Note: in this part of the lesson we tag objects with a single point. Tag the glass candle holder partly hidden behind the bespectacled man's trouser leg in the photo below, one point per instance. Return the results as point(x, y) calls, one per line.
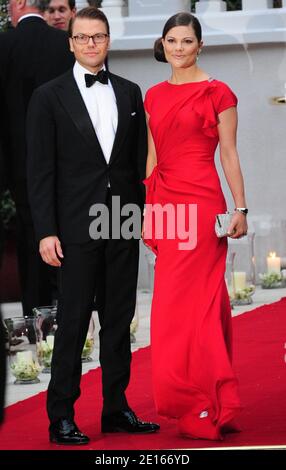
point(46, 326)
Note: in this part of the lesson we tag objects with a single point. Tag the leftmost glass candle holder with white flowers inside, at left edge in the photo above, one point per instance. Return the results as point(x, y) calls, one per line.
point(22, 350)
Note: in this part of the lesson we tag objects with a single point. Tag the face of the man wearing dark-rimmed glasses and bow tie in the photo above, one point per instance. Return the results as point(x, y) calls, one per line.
point(90, 55)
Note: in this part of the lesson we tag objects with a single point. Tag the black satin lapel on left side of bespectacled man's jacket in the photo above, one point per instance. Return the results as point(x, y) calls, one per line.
point(72, 101)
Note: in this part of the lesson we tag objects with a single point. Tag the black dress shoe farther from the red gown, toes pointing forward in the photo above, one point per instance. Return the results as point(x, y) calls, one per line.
point(66, 432)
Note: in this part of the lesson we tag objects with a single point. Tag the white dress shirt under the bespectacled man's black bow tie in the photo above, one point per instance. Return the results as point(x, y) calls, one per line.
point(100, 102)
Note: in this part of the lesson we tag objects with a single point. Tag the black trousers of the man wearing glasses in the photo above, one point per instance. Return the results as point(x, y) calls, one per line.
point(109, 269)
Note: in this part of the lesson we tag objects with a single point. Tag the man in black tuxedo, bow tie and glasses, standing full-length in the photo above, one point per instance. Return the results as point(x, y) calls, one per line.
point(86, 144)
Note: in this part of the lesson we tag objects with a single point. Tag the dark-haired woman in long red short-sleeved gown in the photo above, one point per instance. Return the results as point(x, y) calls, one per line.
point(188, 115)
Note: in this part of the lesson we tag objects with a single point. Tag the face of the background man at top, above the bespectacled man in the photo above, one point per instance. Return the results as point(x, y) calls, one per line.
point(58, 14)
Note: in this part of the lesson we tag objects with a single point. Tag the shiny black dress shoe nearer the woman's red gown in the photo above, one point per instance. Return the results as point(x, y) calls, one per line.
point(126, 421)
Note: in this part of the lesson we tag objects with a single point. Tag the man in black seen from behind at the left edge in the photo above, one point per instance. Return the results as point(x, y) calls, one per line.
point(31, 54)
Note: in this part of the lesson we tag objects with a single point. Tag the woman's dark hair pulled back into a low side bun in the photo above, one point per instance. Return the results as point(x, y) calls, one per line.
point(180, 19)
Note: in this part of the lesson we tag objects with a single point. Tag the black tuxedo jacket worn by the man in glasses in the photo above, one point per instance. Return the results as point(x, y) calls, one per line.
point(67, 171)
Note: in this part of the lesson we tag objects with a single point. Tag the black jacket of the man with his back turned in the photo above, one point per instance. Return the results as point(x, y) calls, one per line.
point(31, 54)
